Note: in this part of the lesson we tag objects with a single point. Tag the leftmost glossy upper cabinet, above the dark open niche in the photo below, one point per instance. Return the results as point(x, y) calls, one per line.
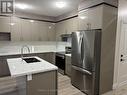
point(5, 24)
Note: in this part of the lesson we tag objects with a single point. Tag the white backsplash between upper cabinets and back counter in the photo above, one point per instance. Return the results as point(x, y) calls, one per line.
point(35, 47)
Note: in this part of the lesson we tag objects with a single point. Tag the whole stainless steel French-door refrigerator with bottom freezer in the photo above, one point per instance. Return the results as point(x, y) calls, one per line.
point(86, 52)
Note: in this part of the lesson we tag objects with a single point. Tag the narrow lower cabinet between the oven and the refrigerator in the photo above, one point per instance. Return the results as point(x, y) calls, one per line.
point(68, 65)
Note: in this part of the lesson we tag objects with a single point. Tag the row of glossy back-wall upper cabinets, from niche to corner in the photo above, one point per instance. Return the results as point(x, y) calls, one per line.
point(31, 30)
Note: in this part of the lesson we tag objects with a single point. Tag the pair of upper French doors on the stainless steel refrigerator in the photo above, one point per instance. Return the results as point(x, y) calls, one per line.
point(83, 49)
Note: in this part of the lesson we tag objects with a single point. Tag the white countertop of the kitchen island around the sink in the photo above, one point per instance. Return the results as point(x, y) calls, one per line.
point(18, 67)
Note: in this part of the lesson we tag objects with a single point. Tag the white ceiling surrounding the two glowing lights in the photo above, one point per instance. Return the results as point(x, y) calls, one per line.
point(47, 7)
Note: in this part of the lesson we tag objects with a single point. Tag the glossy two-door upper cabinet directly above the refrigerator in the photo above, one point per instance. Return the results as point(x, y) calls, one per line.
point(90, 18)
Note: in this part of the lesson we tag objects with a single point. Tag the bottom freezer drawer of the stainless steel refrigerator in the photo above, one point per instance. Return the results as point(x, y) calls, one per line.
point(82, 80)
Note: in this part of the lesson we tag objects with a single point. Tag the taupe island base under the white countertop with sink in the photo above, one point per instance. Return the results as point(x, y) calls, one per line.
point(44, 83)
